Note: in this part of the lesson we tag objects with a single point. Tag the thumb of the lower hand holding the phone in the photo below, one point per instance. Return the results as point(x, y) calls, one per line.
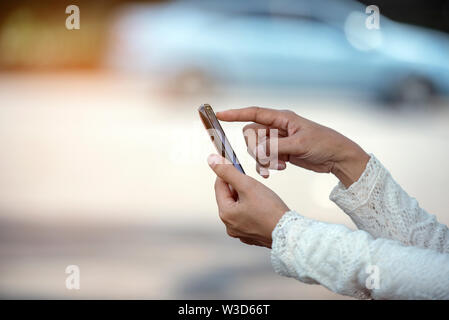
point(226, 171)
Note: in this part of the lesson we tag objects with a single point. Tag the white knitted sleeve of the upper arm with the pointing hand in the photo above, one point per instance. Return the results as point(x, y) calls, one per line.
point(378, 205)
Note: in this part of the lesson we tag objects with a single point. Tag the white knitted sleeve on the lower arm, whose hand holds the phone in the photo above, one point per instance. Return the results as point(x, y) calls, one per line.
point(353, 263)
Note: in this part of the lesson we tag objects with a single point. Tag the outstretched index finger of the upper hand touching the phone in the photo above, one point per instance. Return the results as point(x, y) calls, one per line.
point(268, 117)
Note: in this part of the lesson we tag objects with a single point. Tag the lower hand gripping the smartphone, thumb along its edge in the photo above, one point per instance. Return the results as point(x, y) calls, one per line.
point(252, 211)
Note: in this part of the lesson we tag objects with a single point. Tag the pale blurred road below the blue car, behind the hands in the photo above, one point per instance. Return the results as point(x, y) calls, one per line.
point(99, 171)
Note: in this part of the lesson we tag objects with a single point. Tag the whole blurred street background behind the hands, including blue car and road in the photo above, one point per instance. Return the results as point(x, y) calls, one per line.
point(103, 155)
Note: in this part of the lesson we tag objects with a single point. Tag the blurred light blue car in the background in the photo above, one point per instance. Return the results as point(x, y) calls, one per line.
point(196, 45)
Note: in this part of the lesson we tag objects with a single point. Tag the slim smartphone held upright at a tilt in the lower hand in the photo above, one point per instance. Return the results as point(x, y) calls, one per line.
point(218, 136)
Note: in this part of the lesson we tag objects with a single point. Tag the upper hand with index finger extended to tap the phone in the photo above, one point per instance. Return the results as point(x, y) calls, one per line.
point(299, 141)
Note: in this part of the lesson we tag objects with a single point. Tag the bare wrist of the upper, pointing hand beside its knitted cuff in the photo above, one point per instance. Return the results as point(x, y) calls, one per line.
point(351, 165)
